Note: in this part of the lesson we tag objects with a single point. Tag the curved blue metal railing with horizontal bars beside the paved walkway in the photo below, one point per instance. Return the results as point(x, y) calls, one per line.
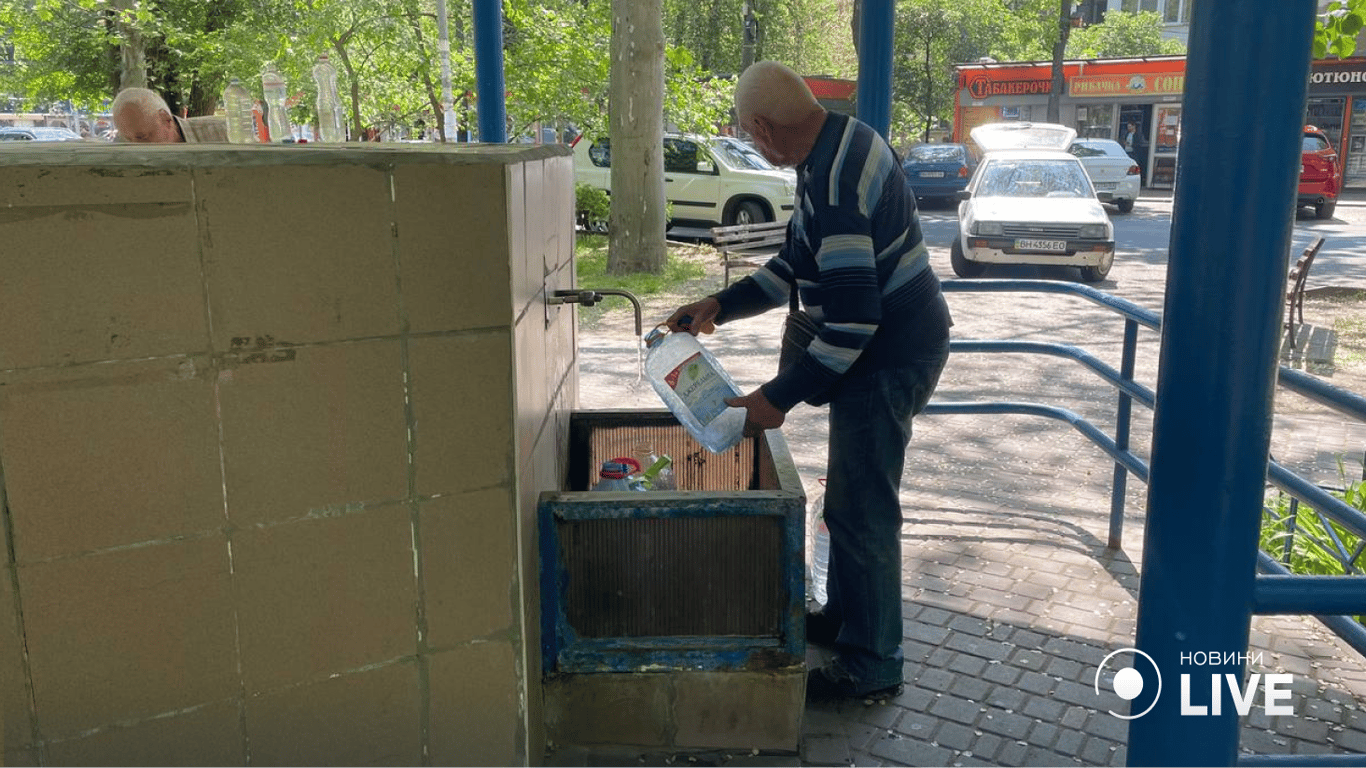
point(1278, 591)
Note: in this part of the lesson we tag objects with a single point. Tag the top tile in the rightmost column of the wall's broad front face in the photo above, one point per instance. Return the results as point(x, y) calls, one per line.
point(453, 247)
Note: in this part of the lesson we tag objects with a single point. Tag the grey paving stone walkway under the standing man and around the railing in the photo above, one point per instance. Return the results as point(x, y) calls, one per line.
point(1012, 596)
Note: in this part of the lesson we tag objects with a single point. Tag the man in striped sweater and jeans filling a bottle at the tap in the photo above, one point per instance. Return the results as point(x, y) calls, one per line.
point(857, 259)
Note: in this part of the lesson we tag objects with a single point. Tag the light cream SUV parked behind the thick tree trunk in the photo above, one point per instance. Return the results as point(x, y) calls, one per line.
point(710, 181)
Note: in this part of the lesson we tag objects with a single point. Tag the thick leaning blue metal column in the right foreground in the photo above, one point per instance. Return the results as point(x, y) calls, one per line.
point(1246, 84)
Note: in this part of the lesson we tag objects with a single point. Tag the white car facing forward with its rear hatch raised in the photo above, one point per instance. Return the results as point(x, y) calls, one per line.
point(1031, 202)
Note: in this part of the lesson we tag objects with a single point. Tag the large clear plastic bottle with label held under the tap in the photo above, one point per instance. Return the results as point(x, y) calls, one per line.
point(695, 386)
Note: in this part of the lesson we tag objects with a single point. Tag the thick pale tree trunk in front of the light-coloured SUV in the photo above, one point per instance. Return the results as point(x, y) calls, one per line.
point(637, 133)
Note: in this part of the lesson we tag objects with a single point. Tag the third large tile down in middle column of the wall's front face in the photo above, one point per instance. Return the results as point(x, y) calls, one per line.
point(326, 596)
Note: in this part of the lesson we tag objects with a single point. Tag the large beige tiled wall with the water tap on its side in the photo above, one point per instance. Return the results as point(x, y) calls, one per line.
point(273, 428)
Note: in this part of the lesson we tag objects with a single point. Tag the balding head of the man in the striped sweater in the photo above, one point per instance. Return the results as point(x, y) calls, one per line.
point(777, 107)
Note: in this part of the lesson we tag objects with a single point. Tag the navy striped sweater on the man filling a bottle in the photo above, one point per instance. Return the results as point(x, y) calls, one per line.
point(856, 249)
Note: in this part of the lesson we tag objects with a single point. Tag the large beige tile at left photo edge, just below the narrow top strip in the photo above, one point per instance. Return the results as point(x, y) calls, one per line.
point(83, 285)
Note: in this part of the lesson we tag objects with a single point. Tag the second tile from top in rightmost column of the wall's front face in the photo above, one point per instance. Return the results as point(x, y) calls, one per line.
point(462, 402)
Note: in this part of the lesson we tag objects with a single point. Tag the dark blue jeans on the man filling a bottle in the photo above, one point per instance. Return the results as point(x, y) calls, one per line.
point(871, 427)
